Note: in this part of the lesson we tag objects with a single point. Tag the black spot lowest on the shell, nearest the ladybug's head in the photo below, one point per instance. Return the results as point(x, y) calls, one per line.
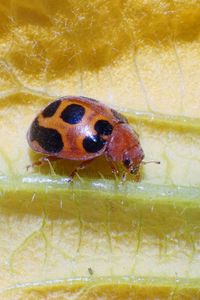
point(93, 144)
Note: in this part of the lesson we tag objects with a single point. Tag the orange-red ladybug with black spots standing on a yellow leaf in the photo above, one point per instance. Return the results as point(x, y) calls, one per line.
point(81, 129)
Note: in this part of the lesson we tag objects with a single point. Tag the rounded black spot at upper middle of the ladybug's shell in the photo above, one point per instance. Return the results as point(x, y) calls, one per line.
point(73, 114)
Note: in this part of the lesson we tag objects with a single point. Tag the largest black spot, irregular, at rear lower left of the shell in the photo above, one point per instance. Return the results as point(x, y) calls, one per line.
point(49, 139)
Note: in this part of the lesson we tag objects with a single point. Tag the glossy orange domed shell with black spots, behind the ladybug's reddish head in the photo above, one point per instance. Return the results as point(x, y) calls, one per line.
point(75, 128)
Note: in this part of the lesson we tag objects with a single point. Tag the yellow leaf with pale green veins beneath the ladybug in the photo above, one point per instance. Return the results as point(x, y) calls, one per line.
point(97, 238)
